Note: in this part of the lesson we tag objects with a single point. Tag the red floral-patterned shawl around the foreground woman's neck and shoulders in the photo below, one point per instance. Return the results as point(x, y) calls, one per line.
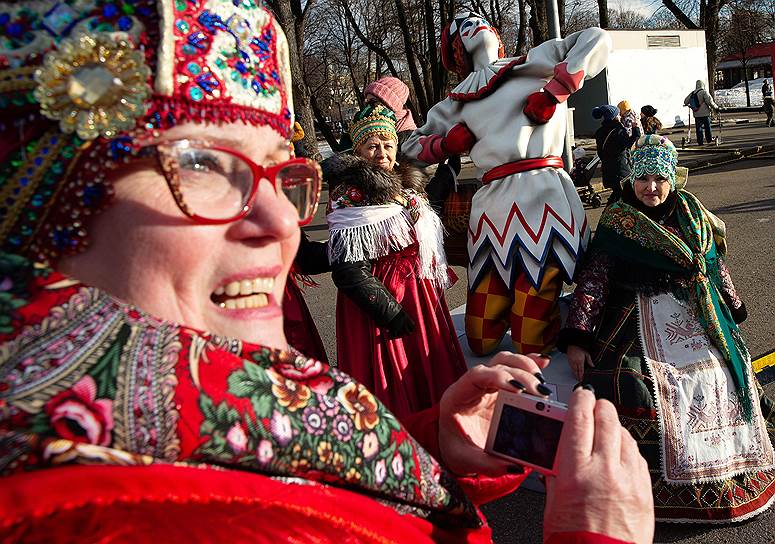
point(87, 379)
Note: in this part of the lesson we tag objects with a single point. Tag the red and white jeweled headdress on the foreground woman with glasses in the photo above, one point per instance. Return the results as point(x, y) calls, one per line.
point(81, 79)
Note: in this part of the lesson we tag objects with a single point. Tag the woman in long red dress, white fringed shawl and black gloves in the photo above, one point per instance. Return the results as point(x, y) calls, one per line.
point(394, 331)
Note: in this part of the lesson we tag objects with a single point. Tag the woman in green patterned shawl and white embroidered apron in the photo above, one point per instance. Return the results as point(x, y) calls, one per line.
point(653, 328)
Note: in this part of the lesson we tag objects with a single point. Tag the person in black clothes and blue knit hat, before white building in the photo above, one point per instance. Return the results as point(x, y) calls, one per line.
point(613, 148)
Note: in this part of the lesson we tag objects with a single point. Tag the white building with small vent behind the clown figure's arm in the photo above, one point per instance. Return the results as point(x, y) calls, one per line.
point(657, 67)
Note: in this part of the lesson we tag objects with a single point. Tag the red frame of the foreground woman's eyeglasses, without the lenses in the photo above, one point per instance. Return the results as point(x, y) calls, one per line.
point(259, 173)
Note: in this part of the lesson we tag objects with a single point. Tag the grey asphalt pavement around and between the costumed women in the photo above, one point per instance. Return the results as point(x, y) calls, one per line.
point(742, 193)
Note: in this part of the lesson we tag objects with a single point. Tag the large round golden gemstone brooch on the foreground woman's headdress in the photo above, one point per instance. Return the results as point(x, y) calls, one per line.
point(95, 85)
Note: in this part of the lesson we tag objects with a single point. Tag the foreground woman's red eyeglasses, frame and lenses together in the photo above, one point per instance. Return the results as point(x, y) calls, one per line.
point(215, 185)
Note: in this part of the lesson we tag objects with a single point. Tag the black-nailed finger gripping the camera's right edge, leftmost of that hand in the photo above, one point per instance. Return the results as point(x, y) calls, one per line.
point(578, 432)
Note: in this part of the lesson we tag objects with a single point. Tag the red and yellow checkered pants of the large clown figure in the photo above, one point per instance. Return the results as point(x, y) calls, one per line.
point(533, 314)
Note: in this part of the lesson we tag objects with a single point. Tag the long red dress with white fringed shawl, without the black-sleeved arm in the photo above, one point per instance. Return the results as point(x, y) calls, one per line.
point(403, 239)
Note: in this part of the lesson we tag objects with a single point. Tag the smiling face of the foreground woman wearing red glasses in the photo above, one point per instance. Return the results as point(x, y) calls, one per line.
point(226, 279)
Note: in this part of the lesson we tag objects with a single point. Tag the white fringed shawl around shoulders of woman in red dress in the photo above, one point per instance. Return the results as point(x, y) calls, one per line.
point(371, 232)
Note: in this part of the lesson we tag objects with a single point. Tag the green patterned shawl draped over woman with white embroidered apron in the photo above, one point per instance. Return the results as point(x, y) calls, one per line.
point(627, 233)
